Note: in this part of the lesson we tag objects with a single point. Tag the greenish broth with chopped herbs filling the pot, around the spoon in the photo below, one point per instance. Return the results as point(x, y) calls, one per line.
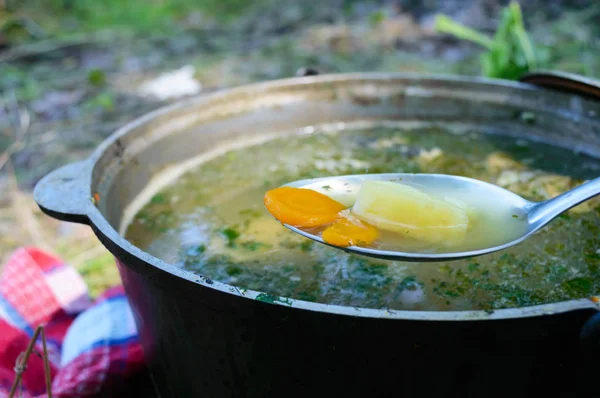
point(212, 221)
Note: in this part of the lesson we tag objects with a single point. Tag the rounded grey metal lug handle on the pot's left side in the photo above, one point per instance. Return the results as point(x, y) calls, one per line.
point(65, 193)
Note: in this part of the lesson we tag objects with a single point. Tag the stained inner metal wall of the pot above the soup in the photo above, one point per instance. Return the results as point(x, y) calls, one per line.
point(180, 133)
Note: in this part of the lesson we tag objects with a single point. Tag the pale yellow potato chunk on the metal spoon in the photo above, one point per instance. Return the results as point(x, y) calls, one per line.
point(413, 213)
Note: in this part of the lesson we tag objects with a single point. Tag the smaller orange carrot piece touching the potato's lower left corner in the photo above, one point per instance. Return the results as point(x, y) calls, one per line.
point(345, 232)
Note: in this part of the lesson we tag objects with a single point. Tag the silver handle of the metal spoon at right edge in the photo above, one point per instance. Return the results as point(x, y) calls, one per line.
point(543, 212)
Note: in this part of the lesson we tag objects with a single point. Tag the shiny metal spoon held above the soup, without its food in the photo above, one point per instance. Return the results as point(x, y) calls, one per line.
point(537, 214)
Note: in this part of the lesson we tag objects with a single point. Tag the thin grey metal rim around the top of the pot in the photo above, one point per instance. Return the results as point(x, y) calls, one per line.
point(121, 247)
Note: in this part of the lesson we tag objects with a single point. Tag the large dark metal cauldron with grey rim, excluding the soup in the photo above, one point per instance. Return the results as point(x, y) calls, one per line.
point(207, 339)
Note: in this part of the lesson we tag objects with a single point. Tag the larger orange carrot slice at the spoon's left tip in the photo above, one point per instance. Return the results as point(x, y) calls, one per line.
point(301, 207)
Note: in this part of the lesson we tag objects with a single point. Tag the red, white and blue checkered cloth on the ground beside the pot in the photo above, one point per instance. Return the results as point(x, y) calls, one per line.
point(91, 345)
